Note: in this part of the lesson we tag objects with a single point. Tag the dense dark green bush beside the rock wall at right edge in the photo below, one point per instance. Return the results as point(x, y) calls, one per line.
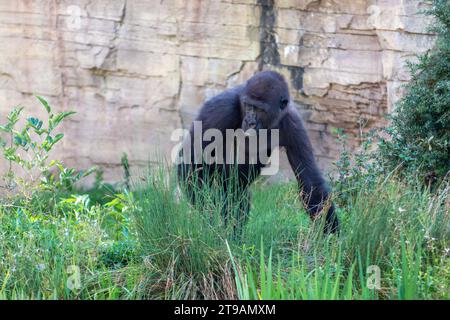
point(419, 135)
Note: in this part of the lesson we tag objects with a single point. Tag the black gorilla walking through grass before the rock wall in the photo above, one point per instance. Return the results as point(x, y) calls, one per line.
point(261, 103)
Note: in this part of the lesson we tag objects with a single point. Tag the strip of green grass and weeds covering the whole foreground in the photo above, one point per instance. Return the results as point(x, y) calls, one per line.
point(153, 244)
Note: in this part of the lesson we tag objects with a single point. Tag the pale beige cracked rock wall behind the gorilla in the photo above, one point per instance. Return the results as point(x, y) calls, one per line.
point(135, 70)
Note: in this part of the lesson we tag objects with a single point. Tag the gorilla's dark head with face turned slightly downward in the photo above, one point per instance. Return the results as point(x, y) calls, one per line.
point(265, 95)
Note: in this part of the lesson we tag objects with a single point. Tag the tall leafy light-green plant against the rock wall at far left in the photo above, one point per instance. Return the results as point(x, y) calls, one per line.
point(29, 148)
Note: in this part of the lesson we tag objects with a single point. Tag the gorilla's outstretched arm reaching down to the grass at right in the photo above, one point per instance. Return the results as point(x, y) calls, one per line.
point(314, 190)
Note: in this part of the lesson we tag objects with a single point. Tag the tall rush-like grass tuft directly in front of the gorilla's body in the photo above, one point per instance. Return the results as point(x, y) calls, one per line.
point(184, 245)
